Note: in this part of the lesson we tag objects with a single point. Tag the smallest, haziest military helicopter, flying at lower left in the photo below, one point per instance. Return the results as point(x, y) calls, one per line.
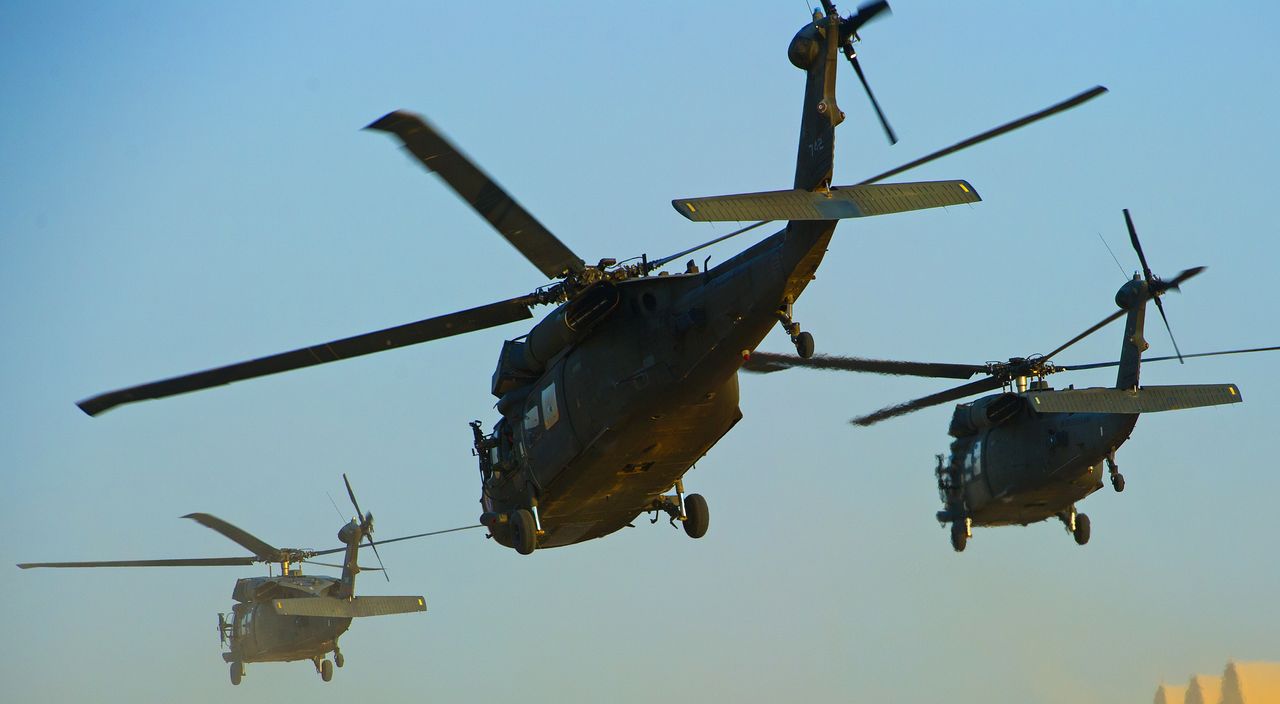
point(292, 616)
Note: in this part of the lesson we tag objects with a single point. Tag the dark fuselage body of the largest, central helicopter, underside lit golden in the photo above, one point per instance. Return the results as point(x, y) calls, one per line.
point(623, 414)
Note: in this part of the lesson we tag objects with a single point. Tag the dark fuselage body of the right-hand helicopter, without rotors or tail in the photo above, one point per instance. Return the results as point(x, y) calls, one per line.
point(1031, 468)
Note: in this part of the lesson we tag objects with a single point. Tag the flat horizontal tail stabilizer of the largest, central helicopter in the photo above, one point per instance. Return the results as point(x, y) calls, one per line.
point(842, 202)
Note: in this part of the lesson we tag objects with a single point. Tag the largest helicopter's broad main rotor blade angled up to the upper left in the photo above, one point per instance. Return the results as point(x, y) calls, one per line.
point(525, 234)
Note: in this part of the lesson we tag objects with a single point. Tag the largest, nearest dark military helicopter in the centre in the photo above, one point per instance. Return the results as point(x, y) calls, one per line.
point(615, 395)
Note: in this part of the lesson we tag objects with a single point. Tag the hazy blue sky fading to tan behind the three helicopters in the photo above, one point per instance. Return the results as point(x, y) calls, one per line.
point(188, 186)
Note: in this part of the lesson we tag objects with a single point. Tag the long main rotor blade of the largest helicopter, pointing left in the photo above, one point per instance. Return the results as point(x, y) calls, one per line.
point(368, 344)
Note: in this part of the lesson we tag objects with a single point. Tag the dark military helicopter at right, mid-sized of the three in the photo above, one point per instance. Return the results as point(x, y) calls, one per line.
point(1031, 452)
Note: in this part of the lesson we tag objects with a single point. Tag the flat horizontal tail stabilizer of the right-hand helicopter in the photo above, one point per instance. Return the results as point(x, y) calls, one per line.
point(1146, 400)
